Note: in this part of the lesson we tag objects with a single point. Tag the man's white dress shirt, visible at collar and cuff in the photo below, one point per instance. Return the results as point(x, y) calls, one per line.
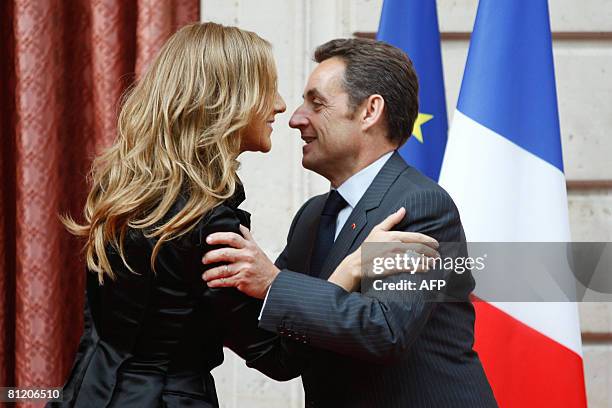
point(352, 190)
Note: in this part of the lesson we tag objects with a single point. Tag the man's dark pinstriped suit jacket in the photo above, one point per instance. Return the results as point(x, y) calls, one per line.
point(368, 352)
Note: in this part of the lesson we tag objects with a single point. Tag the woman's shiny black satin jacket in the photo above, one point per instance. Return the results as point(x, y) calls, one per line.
point(150, 339)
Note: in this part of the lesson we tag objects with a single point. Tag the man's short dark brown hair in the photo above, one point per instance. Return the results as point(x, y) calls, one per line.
point(375, 67)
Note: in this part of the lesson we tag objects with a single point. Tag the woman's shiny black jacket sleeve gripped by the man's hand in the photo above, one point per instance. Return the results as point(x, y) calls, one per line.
point(238, 314)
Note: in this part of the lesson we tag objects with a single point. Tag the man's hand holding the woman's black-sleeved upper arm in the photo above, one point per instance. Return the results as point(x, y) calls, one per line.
point(247, 267)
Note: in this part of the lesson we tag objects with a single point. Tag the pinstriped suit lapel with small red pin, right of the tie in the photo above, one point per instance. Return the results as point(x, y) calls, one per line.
point(358, 219)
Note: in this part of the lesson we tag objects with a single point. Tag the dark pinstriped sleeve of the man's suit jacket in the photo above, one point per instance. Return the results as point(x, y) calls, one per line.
point(376, 328)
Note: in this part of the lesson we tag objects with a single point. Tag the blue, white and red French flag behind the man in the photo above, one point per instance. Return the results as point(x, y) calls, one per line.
point(503, 166)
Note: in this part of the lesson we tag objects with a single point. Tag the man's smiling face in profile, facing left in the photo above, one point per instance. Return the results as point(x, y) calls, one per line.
point(326, 122)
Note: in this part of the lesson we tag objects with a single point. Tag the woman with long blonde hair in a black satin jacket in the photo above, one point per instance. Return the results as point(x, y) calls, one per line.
point(153, 329)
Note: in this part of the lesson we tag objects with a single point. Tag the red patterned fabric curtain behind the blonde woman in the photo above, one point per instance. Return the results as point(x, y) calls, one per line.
point(63, 66)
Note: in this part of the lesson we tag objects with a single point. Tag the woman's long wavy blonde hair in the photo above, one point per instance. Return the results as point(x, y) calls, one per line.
point(179, 131)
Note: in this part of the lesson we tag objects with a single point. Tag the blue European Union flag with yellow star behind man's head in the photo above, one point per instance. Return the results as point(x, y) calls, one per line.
point(412, 25)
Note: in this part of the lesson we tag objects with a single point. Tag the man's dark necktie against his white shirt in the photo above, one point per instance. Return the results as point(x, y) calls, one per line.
point(327, 230)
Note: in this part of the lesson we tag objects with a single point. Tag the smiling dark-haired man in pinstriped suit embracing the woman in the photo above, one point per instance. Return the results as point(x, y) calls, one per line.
point(360, 104)
